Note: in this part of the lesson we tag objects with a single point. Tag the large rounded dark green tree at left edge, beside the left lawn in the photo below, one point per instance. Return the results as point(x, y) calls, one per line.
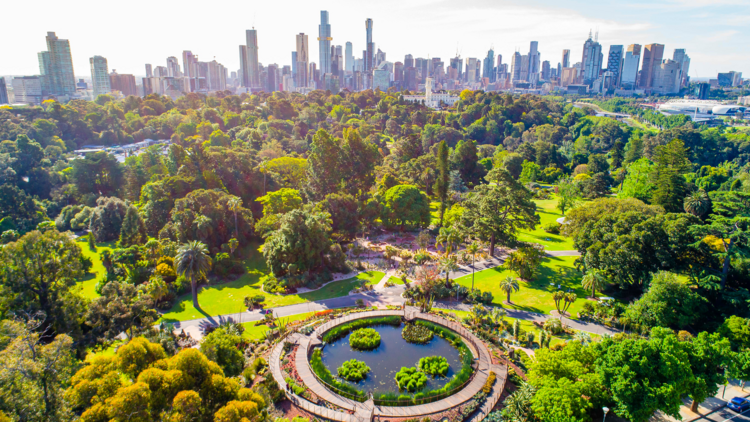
point(39, 272)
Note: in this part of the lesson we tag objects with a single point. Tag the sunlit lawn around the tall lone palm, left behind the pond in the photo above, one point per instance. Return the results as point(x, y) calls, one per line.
point(228, 298)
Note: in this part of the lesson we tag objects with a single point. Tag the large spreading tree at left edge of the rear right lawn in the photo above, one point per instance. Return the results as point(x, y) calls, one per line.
point(497, 211)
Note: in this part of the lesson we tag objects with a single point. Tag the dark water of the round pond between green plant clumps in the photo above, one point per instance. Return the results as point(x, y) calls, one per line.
point(393, 353)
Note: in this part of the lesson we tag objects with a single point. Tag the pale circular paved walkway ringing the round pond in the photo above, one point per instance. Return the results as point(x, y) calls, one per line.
point(368, 410)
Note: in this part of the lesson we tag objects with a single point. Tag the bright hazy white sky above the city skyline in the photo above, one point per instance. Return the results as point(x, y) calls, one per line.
point(129, 34)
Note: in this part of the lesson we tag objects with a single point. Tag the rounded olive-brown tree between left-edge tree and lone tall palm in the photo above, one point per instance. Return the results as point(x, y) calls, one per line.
point(120, 308)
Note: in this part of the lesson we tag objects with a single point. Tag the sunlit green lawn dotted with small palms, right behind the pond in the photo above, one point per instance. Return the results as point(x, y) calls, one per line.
point(537, 295)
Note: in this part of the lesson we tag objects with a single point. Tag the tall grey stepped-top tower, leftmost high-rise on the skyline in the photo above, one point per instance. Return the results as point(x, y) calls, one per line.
point(56, 67)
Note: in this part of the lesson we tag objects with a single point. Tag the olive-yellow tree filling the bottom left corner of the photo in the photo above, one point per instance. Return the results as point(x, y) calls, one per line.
point(36, 367)
